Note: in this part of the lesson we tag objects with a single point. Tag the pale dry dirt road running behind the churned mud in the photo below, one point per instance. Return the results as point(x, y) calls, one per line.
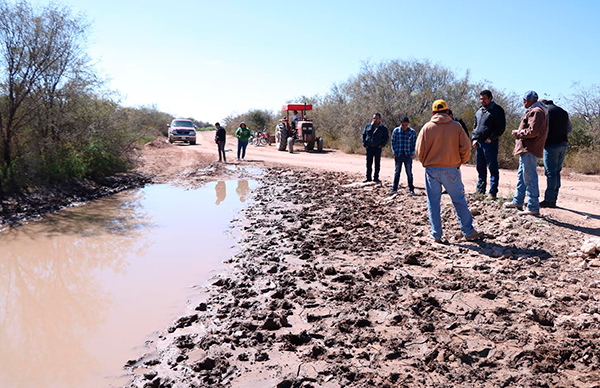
point(579, 198)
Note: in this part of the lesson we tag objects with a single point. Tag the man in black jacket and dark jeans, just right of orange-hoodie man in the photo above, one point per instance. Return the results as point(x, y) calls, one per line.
point(490, 123)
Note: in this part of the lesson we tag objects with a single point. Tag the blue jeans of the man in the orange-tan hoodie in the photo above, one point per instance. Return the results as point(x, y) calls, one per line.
point(450, 178)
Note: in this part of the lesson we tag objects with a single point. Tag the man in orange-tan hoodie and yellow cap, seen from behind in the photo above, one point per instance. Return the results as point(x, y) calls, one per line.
point(442, 147)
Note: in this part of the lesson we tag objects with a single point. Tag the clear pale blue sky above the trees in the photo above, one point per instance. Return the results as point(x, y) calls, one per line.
point(208, 59)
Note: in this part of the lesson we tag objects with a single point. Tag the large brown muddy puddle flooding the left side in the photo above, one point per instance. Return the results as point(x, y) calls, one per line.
point(82, 290)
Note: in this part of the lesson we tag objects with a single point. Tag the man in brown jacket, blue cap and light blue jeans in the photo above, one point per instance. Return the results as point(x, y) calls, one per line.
point(529, 146)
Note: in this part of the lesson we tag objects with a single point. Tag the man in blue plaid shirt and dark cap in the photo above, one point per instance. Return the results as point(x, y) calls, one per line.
point(403, 147)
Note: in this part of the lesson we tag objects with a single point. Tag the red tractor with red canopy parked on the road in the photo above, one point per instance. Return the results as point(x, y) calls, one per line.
point(299, 129)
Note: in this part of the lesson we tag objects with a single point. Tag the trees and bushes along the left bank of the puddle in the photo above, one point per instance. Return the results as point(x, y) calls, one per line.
point(57, 120)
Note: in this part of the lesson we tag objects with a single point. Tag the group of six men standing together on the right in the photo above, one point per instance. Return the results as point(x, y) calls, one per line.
point(443, 145)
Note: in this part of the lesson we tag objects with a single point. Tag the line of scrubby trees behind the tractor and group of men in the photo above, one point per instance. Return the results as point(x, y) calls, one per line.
point(398, 88)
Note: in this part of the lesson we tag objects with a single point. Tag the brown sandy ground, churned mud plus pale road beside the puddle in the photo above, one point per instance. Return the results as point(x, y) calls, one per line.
point(338, 284)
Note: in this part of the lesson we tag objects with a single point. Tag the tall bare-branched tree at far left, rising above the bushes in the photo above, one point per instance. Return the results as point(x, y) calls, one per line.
point(40, 50)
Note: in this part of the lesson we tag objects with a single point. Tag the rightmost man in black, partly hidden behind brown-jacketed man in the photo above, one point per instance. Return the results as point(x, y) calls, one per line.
point(555, 150)
